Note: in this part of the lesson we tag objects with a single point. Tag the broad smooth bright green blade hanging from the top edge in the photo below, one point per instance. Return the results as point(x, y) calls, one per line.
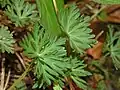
point(48, 16)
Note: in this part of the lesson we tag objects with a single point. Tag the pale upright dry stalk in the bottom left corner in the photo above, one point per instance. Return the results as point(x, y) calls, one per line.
point(2, 74)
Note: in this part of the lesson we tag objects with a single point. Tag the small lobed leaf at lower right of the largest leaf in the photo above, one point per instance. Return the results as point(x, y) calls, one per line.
point(77, 71)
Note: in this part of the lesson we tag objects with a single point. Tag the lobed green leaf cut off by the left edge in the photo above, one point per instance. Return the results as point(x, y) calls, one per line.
point(6, 40)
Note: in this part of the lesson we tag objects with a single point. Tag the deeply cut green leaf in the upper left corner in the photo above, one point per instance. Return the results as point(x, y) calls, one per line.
point(21, 13)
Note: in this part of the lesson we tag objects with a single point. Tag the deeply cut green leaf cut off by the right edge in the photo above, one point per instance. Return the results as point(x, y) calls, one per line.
point(112, 46)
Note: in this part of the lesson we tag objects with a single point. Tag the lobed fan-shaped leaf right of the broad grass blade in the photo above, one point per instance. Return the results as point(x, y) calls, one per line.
point(75, 28)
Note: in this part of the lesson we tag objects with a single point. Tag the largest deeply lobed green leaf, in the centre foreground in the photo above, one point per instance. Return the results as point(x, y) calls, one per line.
point(48, 55)
